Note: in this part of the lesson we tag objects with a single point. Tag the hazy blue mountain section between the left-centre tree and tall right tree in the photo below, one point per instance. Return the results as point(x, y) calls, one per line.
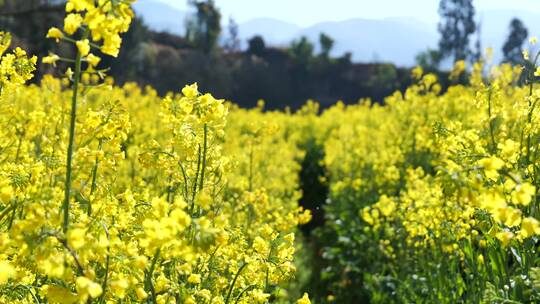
point(367, 39)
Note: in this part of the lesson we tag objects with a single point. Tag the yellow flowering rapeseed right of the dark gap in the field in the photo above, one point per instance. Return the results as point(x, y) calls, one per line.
point(434, 196)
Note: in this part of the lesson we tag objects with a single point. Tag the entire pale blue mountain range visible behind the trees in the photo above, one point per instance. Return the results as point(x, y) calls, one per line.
point(396, 40)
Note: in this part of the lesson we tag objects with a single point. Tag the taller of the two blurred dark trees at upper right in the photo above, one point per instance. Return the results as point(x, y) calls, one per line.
point(456, 26)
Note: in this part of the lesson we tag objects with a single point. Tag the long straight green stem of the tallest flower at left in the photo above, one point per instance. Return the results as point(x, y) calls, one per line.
point(67, 193)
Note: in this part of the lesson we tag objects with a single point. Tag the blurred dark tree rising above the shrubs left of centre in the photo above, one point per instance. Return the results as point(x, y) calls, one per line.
point(204, 27)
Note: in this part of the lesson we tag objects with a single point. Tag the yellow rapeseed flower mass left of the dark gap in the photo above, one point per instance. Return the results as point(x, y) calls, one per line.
point(170, 208)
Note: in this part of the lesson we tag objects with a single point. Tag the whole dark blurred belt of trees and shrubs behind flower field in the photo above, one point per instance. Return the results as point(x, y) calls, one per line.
point(211, 54)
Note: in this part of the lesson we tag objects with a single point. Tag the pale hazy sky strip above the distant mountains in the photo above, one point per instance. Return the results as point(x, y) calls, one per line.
point(308, 12)
